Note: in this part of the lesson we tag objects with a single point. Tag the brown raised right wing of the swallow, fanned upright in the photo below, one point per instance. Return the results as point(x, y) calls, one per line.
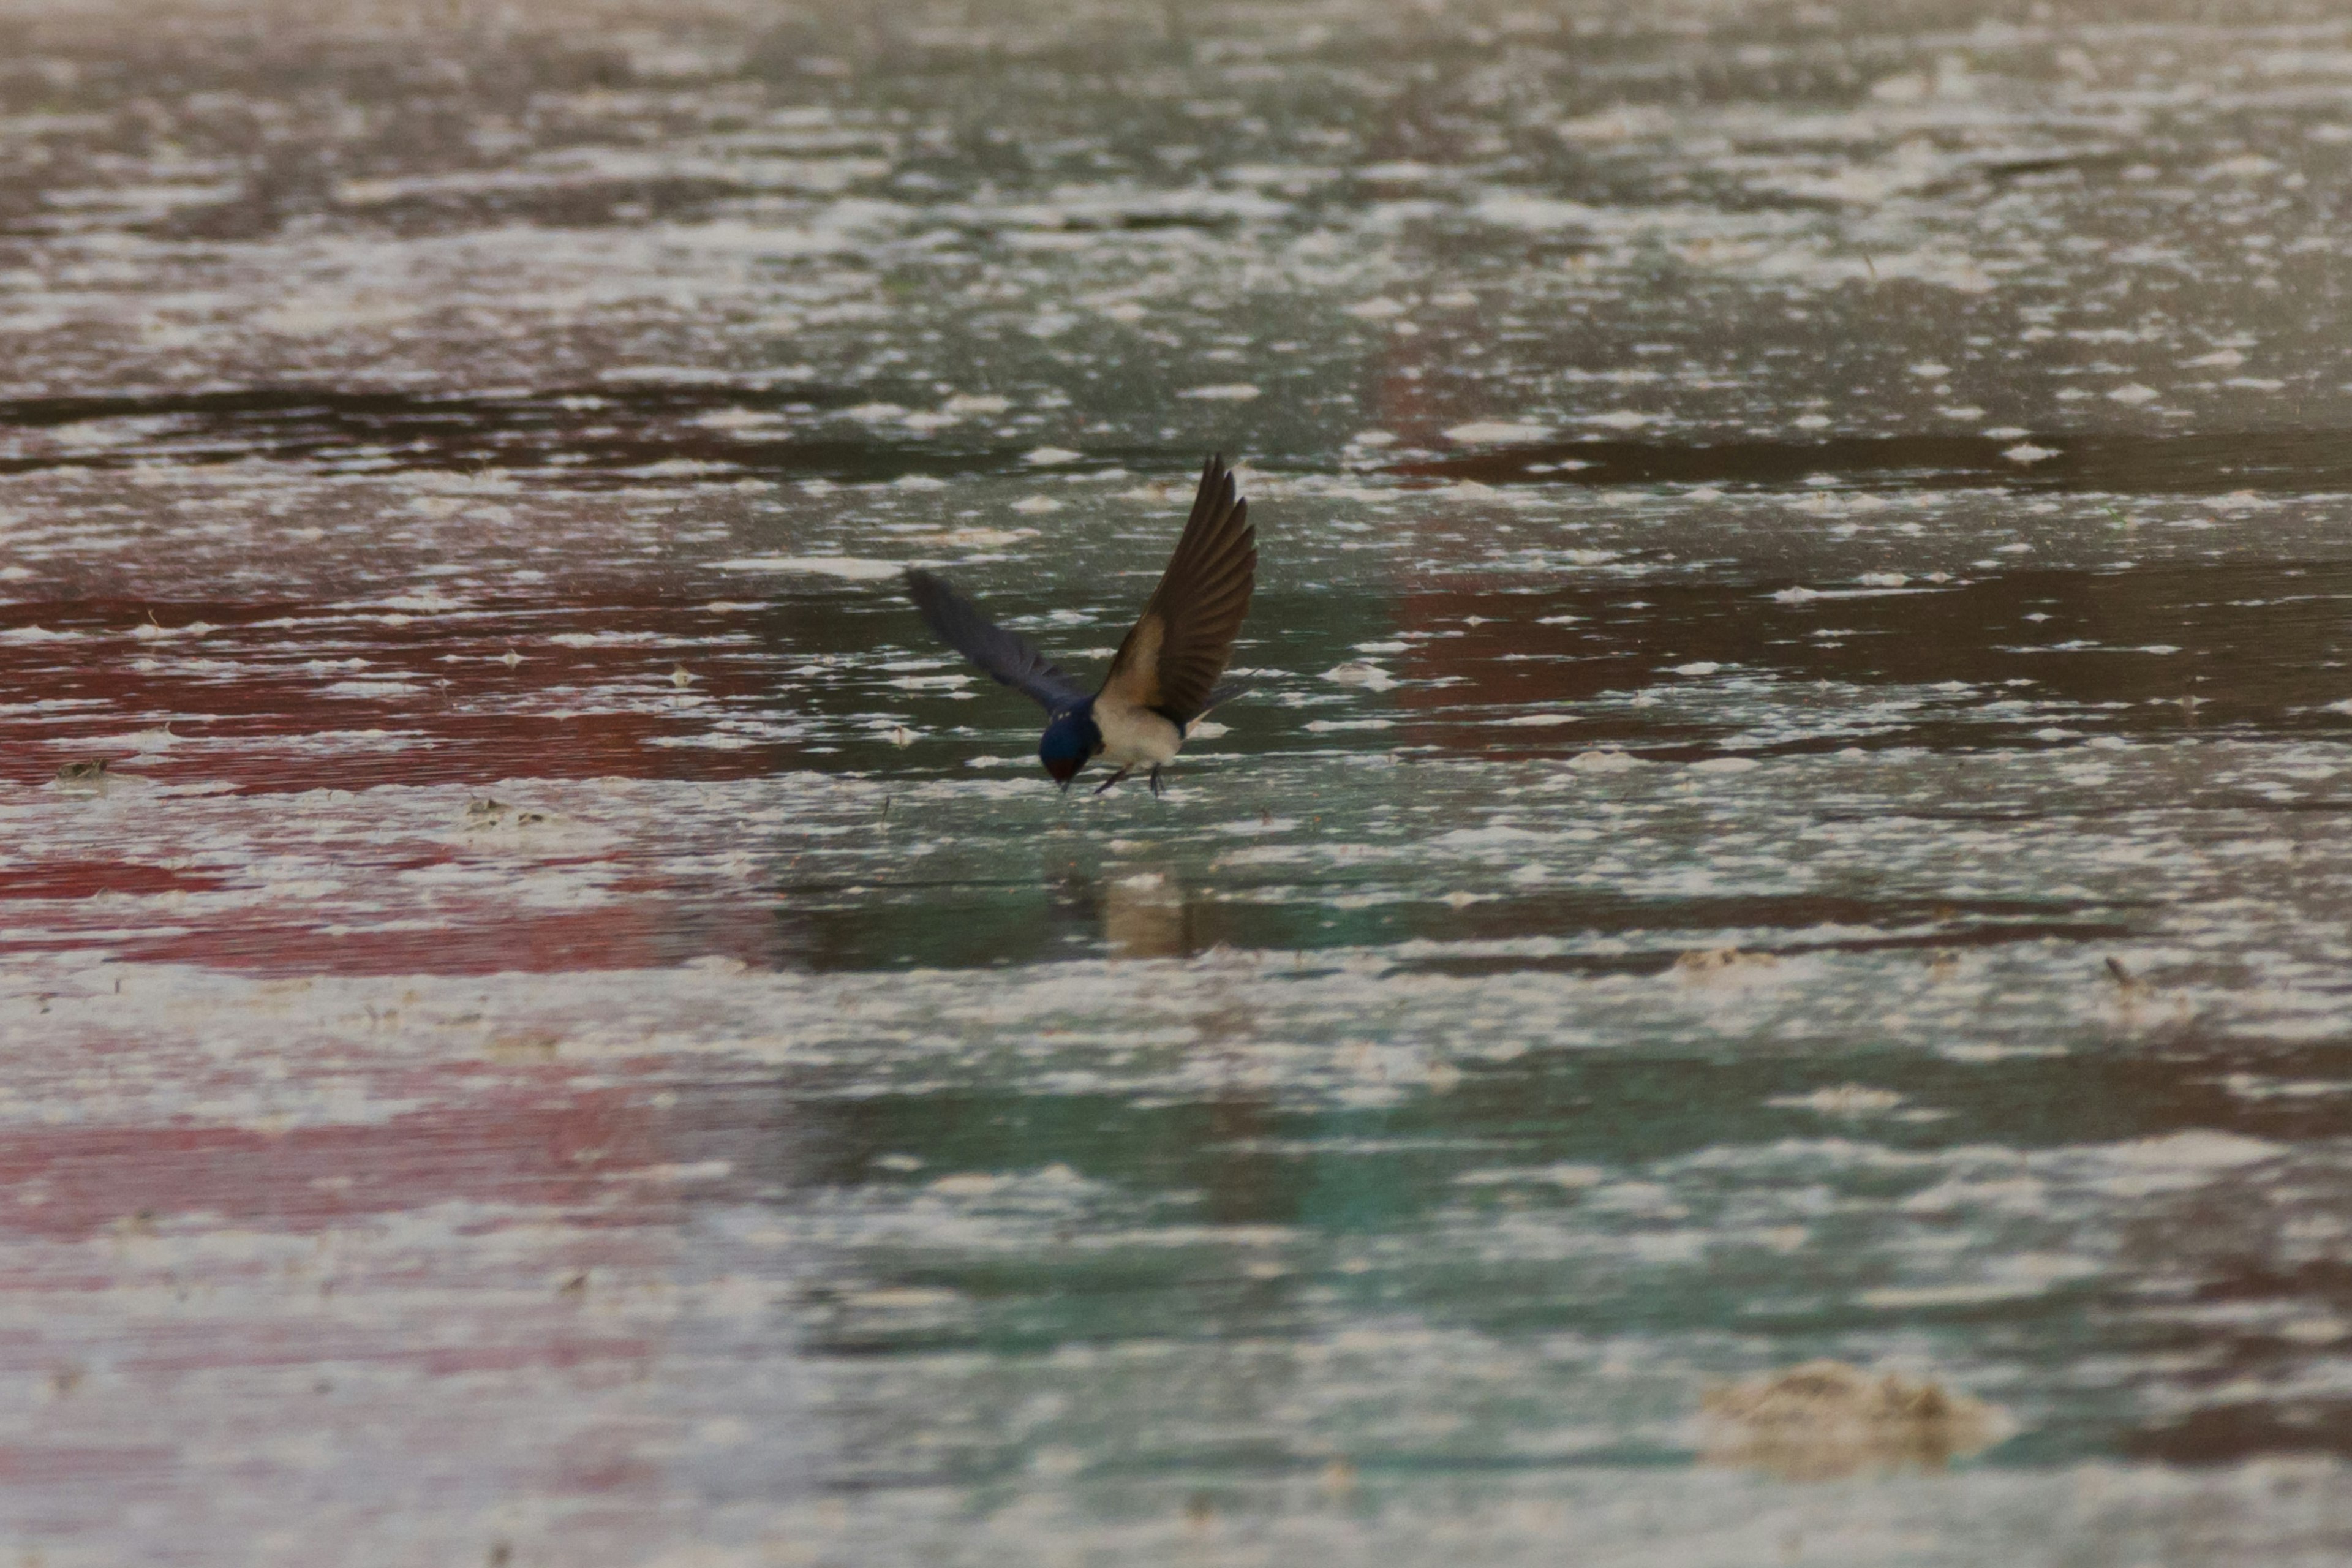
point(1184, 638)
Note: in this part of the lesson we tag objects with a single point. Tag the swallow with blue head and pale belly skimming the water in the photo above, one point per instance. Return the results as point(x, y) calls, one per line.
point(1165, 671)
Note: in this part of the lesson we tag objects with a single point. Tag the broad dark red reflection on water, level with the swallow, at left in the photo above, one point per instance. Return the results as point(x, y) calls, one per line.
point(288, 697)
